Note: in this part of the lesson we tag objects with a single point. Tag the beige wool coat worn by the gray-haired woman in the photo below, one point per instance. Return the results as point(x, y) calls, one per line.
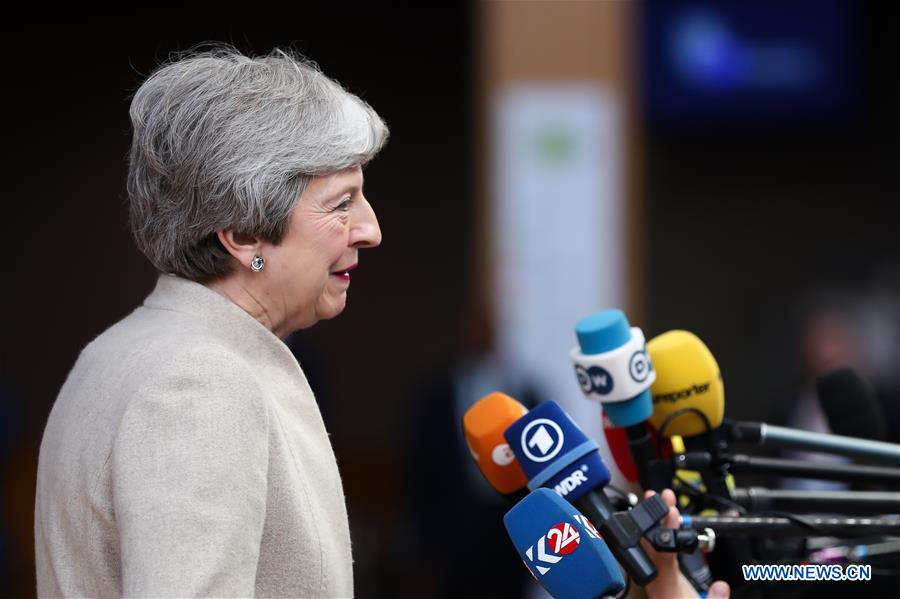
point(186, 456)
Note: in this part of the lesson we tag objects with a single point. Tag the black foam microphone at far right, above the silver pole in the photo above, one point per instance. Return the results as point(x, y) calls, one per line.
point(849, 406)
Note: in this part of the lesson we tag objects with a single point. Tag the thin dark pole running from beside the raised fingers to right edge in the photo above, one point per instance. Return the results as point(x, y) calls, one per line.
point(785, 527)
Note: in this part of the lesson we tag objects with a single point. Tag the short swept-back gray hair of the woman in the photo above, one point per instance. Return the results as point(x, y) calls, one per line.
point(222, 140)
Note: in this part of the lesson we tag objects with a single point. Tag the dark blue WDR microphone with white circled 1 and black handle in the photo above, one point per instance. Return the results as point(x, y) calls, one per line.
point(555, 454)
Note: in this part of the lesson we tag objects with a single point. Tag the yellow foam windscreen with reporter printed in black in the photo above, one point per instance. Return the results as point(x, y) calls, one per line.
point(687, 376)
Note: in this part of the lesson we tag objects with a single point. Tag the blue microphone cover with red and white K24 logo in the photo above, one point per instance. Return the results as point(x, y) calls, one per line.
point(561, 548)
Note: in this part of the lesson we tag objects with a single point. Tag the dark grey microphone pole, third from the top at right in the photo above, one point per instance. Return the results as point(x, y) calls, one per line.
point(758, 499)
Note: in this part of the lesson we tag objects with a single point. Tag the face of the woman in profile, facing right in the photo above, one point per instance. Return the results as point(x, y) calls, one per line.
point(309, 268)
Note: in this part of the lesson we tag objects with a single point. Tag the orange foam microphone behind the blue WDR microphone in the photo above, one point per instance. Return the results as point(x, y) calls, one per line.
point(483, 426)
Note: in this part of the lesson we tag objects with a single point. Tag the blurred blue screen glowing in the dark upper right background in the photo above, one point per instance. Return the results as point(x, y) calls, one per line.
point(759, 63)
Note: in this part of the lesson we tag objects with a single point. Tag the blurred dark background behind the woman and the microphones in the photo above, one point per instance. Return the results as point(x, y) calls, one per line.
point(725, 168)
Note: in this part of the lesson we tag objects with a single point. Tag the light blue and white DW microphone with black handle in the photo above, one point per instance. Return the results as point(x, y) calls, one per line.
point(612, 367)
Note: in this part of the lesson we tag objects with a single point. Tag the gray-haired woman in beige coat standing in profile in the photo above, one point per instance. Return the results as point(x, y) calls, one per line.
point(186, 454)
